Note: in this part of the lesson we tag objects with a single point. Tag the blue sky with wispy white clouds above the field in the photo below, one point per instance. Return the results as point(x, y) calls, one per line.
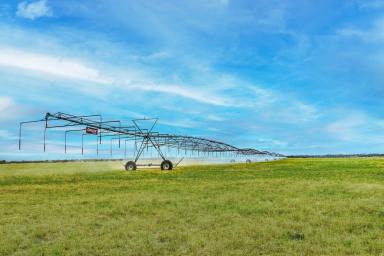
point(294, 77)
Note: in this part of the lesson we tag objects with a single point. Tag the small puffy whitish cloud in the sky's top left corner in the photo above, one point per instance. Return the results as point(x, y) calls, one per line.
point(33, 10)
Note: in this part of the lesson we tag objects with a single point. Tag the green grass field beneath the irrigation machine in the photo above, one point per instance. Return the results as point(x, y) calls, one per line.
point(287, 207)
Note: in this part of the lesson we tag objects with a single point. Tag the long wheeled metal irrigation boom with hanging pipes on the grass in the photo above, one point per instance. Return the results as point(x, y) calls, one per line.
point(142, 138)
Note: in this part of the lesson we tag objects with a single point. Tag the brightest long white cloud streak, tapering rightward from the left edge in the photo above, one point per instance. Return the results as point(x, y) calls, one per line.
point(72, 69)
